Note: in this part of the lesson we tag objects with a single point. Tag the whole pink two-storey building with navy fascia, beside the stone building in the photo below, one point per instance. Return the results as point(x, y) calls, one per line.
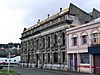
point(83, 47)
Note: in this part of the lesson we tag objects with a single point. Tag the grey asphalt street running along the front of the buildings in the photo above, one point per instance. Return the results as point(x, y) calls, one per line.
point(34, 71)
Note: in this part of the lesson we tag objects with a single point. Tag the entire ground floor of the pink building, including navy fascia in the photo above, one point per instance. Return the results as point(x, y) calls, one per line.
point(88, 62)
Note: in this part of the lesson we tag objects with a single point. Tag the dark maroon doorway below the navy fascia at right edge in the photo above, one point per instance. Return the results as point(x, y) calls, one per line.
point(97, 63)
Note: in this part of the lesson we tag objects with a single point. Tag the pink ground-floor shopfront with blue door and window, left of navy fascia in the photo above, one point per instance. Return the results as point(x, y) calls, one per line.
point(80, 62)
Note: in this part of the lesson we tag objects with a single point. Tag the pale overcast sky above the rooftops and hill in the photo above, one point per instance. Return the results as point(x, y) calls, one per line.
point(17, 14)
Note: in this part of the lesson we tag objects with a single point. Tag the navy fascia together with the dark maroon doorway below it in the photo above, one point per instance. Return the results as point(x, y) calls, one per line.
point(95, 52)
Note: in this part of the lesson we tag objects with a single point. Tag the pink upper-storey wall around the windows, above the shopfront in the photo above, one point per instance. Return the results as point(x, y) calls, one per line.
point(87, 29)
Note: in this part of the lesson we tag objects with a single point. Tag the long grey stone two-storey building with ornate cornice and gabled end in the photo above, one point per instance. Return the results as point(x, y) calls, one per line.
point(43, 44)
